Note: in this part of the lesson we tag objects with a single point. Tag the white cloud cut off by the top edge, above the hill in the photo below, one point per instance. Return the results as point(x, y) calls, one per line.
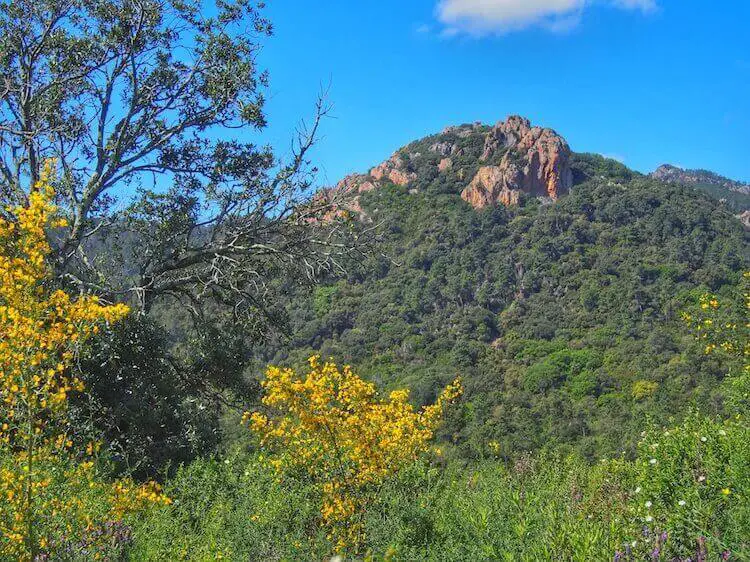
point(480, 17)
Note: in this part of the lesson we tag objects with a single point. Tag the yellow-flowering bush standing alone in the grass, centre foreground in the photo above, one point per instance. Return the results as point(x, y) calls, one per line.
point(333, 426)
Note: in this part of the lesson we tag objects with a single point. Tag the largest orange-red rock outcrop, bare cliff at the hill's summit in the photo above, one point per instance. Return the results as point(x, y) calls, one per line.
point(533, 160)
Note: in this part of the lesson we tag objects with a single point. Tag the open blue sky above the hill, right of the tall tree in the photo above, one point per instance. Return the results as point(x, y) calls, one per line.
point(645, 81)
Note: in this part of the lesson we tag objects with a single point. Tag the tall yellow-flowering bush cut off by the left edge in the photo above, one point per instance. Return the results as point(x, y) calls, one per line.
point(40, 331)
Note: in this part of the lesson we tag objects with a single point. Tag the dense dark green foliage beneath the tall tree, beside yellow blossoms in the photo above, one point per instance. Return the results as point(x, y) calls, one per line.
point(148, 413)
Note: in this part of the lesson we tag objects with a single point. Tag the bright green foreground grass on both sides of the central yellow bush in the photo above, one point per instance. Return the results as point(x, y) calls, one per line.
point(532, 509)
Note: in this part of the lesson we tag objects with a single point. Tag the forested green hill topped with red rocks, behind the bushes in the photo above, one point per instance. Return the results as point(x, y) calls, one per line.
point(552, 281)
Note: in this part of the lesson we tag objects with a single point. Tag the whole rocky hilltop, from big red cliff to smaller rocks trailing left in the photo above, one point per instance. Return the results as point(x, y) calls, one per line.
point(514, 158)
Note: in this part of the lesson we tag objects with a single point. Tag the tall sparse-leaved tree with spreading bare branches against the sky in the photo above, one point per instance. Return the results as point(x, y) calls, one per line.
point(140, 98)
